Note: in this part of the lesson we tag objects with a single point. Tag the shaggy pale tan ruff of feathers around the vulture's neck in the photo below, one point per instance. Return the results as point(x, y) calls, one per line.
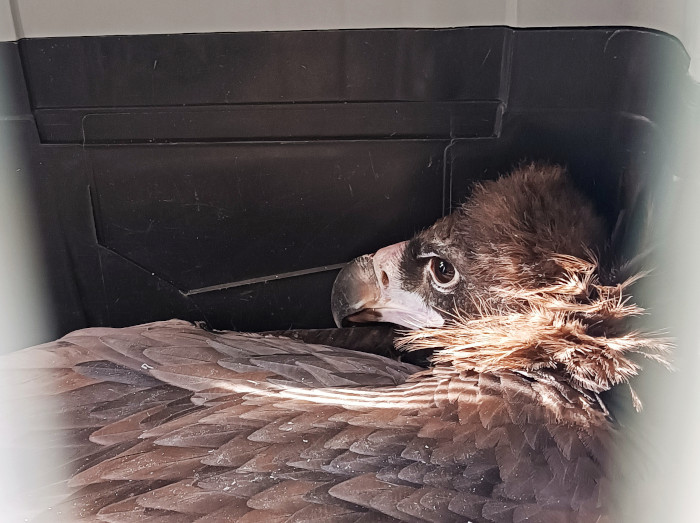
point(574, 329)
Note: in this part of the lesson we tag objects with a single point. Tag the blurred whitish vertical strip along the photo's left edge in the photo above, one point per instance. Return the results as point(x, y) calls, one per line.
point(23, 322)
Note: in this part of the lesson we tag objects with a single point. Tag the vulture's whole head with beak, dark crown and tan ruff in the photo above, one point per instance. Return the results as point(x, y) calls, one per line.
point(509, 281)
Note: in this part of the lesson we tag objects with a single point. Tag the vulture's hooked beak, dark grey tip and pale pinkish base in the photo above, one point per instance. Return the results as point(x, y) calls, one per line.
point(369, 289)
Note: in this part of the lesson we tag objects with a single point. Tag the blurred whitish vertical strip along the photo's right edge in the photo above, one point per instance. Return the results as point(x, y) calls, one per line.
point(661, 463)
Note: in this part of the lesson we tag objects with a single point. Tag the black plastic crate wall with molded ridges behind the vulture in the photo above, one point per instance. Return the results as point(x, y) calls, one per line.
point(227, 177)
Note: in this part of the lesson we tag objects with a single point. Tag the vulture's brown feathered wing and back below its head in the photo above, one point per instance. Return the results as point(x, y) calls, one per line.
point(166, 422)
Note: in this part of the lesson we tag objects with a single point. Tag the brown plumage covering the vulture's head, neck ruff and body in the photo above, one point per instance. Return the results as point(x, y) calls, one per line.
point(167, 422)
